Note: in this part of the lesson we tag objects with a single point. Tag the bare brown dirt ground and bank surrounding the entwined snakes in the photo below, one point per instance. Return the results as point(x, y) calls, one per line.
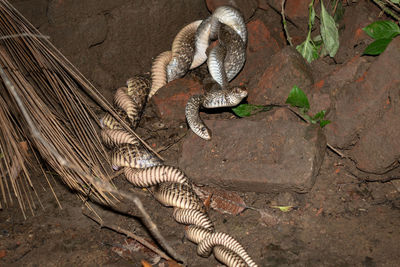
point(343, 221)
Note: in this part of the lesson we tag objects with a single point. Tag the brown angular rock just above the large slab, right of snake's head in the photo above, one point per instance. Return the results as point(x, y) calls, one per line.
point(286, 69)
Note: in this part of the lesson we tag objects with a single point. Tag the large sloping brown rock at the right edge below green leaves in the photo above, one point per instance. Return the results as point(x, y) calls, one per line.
point(360, 105)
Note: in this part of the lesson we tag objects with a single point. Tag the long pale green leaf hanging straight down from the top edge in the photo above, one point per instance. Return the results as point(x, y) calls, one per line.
point(329, 32)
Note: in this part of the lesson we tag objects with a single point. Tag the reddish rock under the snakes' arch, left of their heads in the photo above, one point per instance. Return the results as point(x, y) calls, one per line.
point(170, 100)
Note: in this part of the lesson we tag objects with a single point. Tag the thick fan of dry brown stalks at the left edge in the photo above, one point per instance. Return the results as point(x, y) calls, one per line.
point(50, 90)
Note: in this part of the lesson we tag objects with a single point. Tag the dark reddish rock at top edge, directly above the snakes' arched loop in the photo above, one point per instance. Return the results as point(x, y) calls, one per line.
point(247, 8)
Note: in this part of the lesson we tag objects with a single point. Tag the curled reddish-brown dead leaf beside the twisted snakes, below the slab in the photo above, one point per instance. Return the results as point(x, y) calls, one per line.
point(223, 201)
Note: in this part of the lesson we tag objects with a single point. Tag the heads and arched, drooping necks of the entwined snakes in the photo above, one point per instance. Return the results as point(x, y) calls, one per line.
point(224, 62)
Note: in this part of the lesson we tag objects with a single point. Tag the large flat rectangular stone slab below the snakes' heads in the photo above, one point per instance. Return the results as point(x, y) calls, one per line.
point(276, 153)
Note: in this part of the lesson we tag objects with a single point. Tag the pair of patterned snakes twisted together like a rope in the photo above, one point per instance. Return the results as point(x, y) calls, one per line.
point(142, 168)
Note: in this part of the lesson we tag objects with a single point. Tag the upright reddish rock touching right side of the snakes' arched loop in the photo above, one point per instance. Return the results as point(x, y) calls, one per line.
point(261, 46)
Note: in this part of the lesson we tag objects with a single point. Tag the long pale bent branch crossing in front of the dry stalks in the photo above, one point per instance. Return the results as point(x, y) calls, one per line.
point(98, 183)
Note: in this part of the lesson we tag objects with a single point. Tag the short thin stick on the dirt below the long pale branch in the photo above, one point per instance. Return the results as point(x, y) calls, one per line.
point(118, 229)
